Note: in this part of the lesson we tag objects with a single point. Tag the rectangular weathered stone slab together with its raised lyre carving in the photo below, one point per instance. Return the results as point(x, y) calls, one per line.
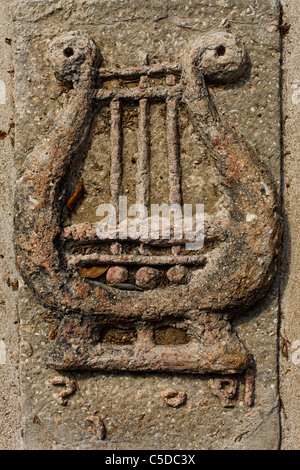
point(147, 342)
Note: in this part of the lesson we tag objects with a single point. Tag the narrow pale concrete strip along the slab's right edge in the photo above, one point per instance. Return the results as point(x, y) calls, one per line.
point(290, 286)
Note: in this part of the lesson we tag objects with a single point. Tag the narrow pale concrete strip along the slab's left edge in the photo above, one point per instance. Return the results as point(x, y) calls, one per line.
point(10, 416)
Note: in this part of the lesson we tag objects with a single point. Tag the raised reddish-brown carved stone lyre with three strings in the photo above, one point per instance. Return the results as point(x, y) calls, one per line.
point(242, 239)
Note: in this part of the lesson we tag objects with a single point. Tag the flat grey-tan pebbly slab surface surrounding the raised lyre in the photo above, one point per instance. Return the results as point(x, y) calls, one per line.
point(130, 404)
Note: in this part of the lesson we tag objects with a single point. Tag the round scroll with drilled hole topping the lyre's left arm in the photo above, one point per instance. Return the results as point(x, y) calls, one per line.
point(74, 57)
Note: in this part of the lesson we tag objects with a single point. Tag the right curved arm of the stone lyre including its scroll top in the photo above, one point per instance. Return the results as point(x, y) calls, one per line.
point(254, 239)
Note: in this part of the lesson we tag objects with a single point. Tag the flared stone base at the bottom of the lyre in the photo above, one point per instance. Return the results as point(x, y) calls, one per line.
point(79, 346)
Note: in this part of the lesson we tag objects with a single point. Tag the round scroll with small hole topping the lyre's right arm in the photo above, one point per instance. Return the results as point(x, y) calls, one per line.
point(221, 57)
